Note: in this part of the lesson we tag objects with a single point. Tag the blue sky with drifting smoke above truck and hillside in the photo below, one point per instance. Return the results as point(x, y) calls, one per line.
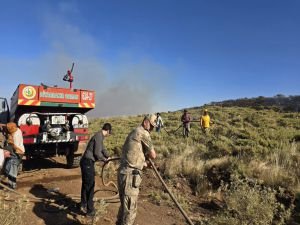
point(146, 56)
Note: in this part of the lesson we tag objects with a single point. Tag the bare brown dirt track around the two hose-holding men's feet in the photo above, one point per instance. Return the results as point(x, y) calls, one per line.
point(50, 179)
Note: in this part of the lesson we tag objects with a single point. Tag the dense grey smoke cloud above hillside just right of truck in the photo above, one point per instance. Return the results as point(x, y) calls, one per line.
point(134, 91)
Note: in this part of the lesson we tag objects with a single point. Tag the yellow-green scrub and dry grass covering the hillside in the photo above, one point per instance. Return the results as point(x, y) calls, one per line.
point(249, 161)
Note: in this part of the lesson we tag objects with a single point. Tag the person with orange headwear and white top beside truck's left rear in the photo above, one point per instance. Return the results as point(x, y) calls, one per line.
point(16, 147)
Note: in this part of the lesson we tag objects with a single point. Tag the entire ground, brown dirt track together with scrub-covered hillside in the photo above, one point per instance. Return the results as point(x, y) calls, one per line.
point(245, 171)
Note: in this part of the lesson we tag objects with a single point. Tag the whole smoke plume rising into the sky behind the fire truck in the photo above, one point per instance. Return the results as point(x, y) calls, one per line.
point(126, 86)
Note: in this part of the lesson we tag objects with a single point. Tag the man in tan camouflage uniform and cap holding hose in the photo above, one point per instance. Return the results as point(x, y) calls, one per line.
point(136, 149)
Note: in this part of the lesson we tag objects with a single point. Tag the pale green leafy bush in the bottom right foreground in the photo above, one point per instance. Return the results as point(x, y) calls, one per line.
point(248, 203)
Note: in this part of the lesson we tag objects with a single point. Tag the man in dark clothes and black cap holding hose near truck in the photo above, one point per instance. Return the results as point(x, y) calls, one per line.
point(95, 151)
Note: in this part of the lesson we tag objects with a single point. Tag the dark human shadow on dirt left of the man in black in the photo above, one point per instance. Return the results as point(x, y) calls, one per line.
point(62, 210)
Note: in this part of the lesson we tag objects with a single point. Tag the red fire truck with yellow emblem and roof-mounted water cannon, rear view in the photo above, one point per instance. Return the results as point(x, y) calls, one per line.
point(52, 119)
